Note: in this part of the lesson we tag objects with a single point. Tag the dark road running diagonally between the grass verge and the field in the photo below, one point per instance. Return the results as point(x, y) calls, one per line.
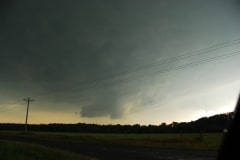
point(107, 152)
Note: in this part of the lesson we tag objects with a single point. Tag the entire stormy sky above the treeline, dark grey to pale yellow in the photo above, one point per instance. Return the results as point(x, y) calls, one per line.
point(126, 62)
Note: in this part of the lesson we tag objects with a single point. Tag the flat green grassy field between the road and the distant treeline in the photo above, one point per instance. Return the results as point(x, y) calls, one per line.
point(205, 141)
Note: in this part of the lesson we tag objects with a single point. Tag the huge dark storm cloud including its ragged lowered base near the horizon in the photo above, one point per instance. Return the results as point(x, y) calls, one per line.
point(69, 48)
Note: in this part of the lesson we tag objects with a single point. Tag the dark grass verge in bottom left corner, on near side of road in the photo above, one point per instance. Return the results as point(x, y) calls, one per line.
point(10, 150)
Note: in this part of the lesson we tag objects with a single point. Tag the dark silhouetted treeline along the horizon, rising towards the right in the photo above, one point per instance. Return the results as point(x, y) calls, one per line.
point(216, 123)
